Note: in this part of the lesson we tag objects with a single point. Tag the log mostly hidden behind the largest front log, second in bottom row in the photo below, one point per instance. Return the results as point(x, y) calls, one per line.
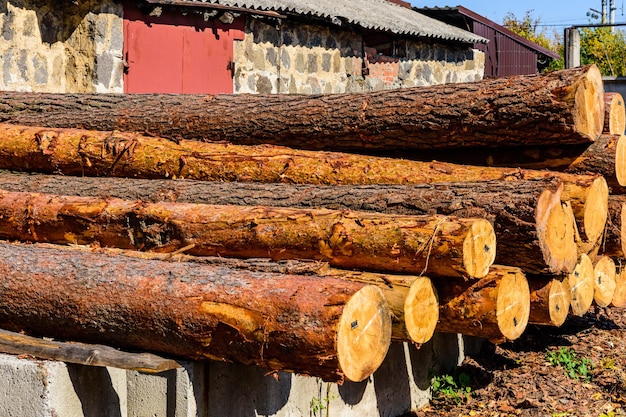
point(412, 300)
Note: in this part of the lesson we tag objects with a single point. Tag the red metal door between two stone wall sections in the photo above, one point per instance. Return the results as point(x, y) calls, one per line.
point(175, 53)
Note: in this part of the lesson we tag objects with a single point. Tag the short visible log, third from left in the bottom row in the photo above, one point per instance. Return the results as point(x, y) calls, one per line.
point(496, 307)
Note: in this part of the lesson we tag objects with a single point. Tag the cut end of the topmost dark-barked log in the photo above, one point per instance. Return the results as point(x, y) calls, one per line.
point(589, 104)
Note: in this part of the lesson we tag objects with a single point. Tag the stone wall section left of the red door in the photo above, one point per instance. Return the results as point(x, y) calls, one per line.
point(61, 46)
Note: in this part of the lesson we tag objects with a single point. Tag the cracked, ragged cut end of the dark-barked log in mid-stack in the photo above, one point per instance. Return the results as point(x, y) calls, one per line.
point(556, 231)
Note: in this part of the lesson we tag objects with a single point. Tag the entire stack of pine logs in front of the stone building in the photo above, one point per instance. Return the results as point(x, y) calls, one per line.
point(304, 233)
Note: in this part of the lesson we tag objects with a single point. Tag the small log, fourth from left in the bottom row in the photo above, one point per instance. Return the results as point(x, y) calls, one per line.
point(550, 300)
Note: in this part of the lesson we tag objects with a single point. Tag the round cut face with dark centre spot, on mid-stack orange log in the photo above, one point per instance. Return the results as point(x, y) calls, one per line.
point(479, 249)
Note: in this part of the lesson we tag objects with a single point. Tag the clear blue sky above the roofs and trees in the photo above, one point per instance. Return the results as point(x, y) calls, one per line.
point(555, 14)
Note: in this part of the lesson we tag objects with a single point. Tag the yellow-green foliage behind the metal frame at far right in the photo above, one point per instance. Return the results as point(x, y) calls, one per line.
point(604, 47)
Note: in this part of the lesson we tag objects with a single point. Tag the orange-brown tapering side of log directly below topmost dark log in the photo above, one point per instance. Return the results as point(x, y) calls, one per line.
point(96, 153)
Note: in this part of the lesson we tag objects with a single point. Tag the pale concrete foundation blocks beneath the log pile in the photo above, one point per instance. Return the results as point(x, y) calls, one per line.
point(36, 388)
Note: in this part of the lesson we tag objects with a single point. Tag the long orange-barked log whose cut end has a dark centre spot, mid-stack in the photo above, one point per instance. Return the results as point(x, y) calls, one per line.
point(435, 244)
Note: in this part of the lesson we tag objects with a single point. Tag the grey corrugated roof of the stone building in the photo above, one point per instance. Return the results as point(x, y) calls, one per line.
point(379, 15)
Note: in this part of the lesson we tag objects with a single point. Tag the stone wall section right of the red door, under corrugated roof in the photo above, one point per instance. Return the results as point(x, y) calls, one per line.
point(299, 58)
